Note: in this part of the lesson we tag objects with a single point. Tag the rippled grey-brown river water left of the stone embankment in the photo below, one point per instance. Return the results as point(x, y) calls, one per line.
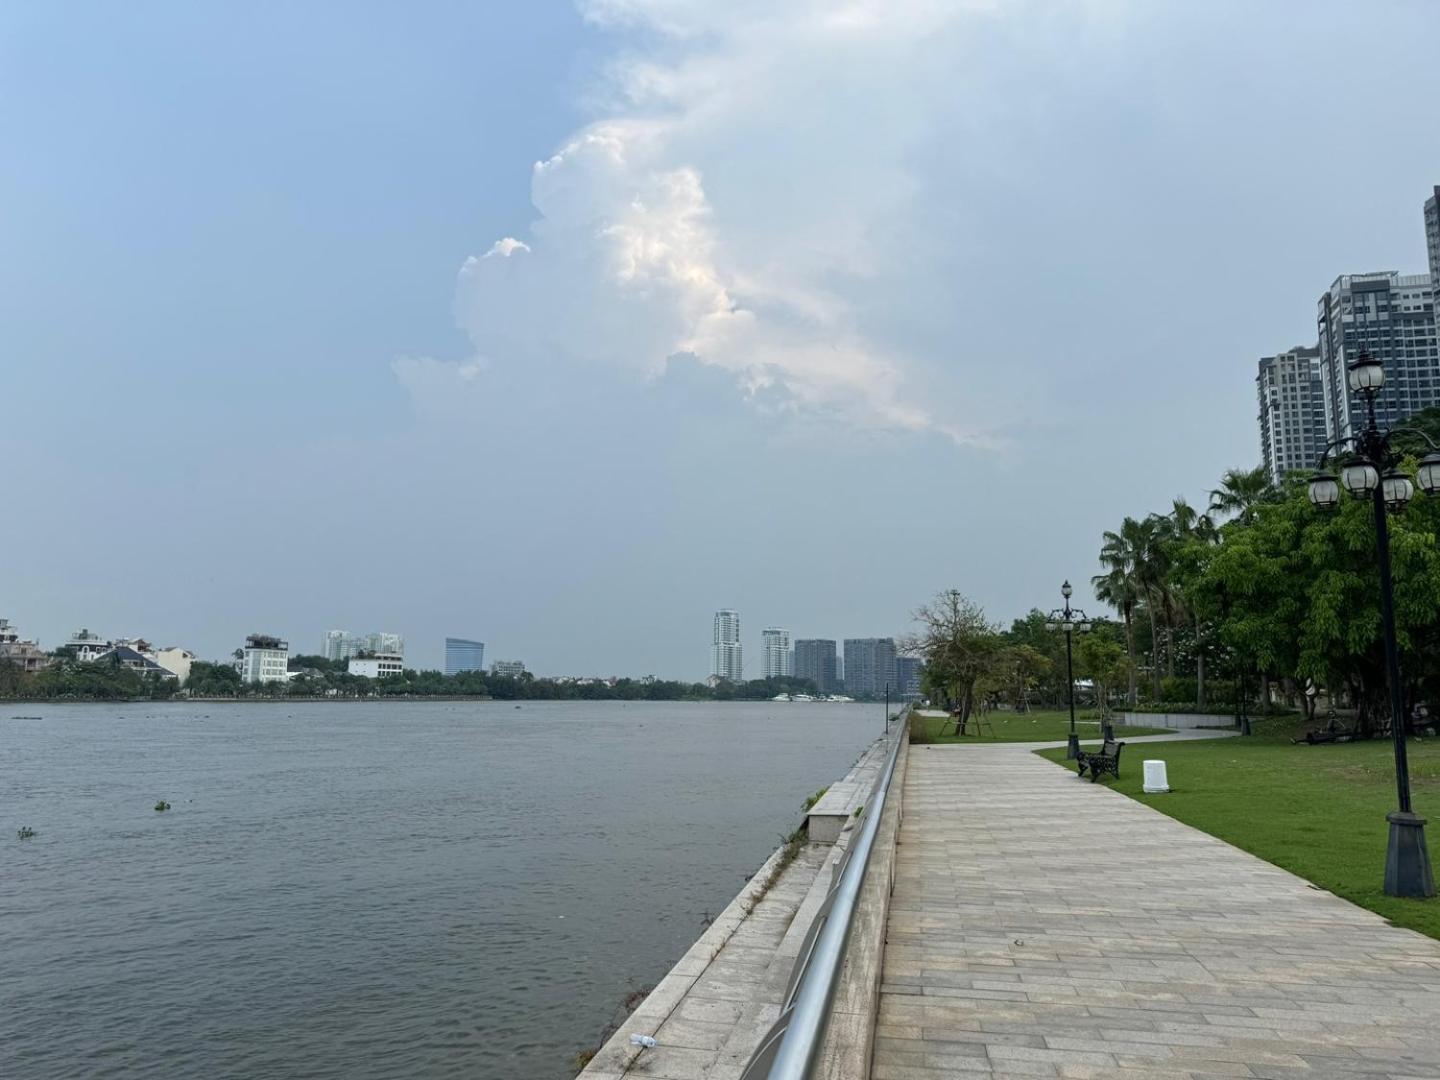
point(374, 891)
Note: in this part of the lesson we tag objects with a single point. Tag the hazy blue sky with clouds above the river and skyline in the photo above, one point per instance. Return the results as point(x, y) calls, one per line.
point(564, 325)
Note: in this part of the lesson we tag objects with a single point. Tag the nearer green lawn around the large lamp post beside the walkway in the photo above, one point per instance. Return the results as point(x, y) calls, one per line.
point(1317, 811)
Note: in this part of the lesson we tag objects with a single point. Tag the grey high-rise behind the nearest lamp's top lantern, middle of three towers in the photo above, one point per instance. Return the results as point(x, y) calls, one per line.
point(1393, 318)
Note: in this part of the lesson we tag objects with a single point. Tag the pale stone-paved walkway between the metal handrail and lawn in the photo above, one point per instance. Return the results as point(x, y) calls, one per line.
point(1048, 927)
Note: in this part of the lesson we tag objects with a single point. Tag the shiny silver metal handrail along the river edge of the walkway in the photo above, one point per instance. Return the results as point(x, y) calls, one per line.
point(791, 1049)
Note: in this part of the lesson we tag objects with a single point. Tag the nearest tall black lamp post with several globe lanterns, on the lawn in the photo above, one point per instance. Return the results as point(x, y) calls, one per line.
point(1370, 472)
